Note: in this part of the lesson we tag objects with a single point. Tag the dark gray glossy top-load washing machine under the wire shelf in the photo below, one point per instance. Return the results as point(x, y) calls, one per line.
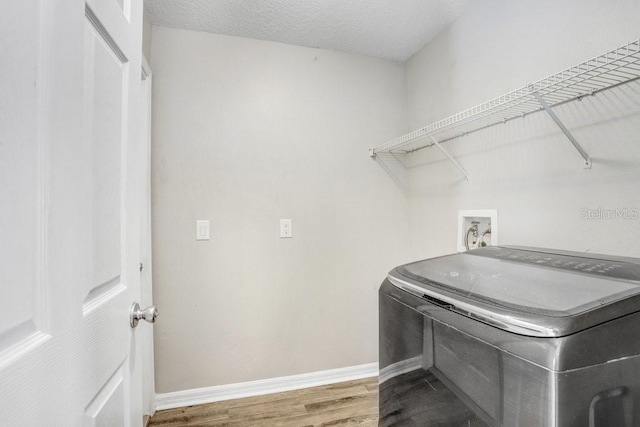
point(511, 336)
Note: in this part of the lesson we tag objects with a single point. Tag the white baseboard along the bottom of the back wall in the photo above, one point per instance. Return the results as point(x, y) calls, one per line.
point(199, 396)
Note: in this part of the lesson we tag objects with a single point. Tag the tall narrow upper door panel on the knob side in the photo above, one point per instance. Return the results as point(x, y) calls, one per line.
point(105, 90)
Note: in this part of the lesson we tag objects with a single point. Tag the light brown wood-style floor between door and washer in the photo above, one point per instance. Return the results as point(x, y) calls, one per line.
point(343, 404)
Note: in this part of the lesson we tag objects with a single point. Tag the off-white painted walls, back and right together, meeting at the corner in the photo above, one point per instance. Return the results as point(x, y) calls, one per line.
point(248, 132)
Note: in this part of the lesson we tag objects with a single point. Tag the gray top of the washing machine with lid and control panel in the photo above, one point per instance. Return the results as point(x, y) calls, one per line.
point(530, 291)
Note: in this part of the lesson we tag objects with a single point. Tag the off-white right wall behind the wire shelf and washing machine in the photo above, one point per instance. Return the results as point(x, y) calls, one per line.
point(527, 169)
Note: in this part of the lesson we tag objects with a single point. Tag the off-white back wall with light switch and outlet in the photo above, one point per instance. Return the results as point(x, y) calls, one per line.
point(247, 132)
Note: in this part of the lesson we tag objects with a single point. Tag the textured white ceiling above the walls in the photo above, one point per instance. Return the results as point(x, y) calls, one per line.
point(388, 29)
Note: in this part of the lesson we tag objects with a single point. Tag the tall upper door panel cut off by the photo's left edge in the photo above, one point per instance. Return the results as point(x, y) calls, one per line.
point(20, 174)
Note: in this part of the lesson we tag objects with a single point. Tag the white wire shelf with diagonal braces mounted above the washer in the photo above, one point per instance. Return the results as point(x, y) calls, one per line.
point(614, 68)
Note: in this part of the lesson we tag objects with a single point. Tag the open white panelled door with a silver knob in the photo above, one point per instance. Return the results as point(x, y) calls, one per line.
point(70, 186)
